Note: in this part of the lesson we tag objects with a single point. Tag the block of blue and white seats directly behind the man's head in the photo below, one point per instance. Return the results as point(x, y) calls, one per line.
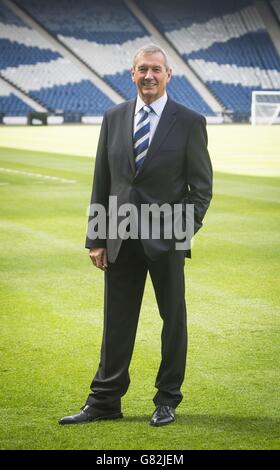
point(105, 36)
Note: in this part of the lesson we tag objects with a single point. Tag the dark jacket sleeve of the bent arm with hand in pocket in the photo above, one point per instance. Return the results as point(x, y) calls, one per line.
point(198, 172)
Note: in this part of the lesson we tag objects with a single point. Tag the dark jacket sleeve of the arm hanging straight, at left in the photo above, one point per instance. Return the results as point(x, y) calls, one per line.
point(100, 188)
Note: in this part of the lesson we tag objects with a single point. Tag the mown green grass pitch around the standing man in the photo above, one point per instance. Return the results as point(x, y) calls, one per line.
point(52, 301)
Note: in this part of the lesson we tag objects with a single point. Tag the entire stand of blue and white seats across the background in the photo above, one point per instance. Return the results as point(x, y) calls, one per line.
point(226, 44)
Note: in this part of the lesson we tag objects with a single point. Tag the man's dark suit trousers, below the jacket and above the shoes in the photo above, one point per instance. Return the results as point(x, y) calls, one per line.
point(124, 288)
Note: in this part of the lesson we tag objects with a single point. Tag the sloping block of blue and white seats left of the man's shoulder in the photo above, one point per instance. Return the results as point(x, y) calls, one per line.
point(34, 66)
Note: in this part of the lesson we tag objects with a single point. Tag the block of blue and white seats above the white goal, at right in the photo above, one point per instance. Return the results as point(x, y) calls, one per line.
point(225, 43)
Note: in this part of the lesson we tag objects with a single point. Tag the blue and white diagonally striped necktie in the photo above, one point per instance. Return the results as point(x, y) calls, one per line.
point(142, 136)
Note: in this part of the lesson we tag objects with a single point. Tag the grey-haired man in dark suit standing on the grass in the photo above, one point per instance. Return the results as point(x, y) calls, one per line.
point(151, 150)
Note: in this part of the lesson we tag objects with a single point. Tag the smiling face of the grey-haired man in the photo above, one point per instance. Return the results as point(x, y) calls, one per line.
point(150, 76)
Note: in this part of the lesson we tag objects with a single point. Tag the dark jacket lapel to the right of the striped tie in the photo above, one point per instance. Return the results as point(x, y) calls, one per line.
point(164, 126)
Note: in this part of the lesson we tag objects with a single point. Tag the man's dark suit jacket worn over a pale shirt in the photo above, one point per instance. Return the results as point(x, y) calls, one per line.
point(177, 168)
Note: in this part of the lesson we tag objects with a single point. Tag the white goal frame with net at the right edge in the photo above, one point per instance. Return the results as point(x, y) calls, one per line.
point(265, 108)
